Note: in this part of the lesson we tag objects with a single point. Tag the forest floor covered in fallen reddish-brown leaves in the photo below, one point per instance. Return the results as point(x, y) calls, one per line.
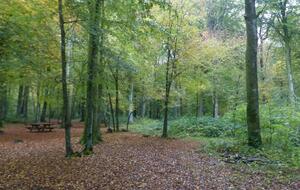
point(122, 161)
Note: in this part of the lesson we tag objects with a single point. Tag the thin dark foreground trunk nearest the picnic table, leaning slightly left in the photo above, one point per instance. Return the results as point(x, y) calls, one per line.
point(66, 107)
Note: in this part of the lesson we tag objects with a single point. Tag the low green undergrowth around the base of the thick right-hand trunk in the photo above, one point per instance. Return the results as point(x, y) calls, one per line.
point(219, 136)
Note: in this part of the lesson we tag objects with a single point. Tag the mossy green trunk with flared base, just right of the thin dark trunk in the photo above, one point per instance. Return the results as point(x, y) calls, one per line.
point(94, 10)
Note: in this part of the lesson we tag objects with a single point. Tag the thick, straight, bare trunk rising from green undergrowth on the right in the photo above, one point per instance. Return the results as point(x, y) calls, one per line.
point(254, 136)
